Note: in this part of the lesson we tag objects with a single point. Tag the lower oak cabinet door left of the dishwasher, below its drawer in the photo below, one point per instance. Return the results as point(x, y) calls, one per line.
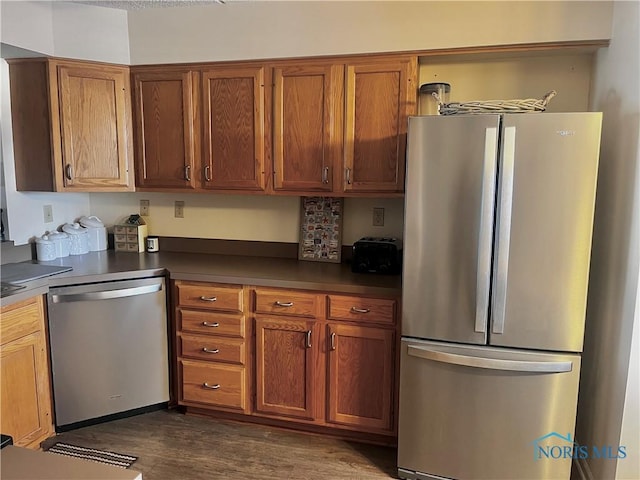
point(26, 398)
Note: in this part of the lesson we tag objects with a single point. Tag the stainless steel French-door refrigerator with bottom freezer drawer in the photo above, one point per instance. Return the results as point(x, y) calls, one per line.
point(497, 242)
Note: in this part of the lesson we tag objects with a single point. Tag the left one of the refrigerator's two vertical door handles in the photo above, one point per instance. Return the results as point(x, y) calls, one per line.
point(483, 276)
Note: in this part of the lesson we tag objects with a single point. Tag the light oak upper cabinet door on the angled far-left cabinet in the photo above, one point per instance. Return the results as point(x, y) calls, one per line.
point(95, 123)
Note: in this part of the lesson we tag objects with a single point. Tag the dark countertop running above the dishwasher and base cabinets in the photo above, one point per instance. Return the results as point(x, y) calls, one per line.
point(259, 271)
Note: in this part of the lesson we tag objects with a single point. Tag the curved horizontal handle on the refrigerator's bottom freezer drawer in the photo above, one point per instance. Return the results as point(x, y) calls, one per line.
point(489, 363)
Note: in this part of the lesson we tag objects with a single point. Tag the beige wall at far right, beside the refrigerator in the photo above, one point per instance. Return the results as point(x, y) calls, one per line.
point(608, 380)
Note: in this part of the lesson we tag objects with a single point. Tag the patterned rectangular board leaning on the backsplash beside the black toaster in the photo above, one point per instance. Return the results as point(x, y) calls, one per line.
point(320, 229)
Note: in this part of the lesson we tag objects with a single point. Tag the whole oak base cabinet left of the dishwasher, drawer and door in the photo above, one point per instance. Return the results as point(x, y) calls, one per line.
point(25, 408)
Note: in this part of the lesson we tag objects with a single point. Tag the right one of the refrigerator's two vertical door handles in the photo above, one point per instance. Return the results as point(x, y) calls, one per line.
point(504, 229)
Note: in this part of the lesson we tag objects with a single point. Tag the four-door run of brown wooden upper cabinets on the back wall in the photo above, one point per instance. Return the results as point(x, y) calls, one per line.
point(332, 126)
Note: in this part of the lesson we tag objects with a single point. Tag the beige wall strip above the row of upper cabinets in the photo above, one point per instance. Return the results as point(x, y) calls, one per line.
point(244, 30)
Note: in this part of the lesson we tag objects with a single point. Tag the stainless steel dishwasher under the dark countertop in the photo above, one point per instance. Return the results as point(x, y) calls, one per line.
point(109, 350)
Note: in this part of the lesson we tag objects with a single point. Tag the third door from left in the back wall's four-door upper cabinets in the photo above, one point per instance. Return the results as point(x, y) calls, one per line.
point(306, 126)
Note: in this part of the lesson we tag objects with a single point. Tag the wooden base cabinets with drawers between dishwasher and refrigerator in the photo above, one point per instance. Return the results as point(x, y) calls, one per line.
point(317, 361)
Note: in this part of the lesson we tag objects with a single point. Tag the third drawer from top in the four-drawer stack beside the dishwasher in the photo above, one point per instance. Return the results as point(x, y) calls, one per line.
point(212, 348)
